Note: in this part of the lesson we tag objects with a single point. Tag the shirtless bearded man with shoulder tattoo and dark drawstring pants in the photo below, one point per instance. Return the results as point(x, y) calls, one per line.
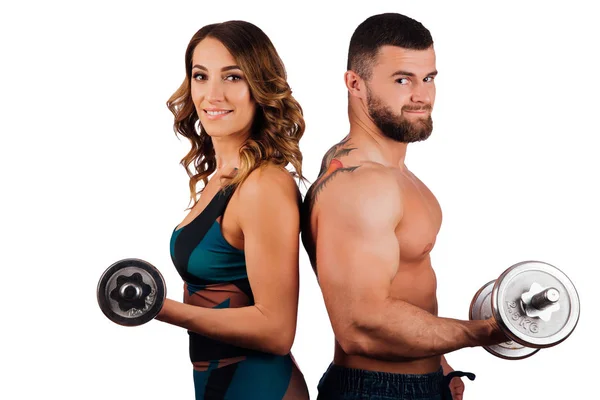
point(369, 226)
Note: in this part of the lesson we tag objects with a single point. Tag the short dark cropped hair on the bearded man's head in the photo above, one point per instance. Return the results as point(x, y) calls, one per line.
point(390, 29)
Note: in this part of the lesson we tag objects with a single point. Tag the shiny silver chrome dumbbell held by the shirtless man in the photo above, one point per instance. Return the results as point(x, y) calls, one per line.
point(535, 304)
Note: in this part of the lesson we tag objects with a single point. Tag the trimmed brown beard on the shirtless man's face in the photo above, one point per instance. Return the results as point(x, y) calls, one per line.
point(397, 127)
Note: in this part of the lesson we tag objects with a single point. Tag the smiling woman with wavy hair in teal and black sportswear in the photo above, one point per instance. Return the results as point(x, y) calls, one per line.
point(237, 249)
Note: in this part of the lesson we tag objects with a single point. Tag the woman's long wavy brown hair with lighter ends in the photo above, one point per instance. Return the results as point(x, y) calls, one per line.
point(278, 123)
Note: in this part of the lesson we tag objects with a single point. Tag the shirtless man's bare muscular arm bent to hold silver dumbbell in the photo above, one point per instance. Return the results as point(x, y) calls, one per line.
point(357, 257)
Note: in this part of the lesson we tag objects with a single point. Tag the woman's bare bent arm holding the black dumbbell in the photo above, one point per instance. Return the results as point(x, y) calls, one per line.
point(269, 219)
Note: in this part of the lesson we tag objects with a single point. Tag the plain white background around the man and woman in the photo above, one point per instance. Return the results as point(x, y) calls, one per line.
point(90, 175)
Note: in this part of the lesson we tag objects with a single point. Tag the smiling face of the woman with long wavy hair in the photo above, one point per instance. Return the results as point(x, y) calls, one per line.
point(220, 91)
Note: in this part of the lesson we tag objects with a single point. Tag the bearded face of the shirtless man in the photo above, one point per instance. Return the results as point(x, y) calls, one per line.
point(401, 93)
